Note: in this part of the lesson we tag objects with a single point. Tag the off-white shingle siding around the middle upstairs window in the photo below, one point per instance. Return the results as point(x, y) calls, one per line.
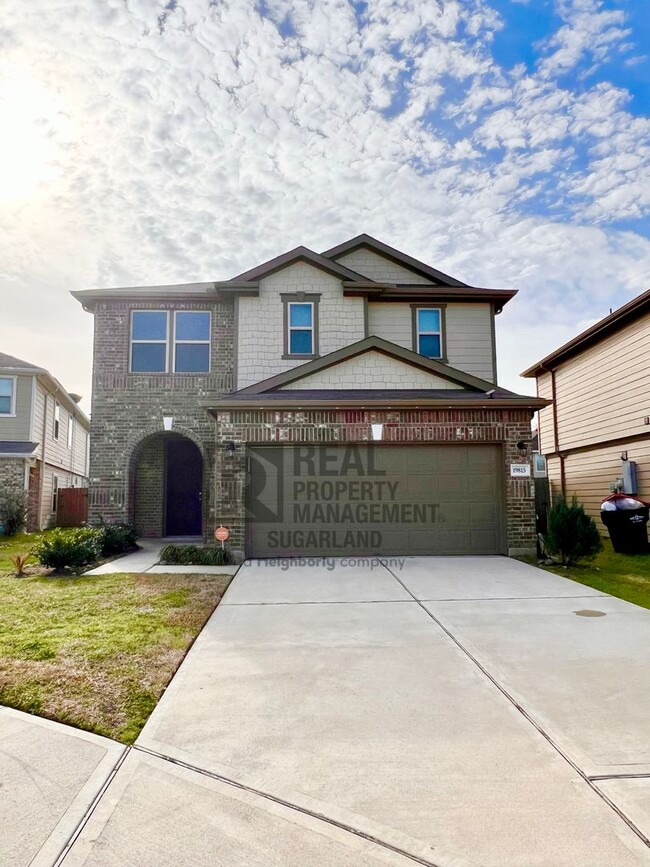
point(260, 328)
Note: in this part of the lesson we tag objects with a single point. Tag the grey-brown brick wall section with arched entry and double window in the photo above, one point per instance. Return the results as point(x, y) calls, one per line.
point(128, 408)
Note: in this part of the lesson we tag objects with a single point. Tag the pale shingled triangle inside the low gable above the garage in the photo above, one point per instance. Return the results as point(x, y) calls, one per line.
point(372, 370)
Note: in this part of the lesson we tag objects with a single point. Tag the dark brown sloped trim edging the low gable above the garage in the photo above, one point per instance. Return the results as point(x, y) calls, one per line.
point(369, 343)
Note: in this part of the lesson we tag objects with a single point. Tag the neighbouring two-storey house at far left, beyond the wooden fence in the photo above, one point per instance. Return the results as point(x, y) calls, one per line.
point(44, 438)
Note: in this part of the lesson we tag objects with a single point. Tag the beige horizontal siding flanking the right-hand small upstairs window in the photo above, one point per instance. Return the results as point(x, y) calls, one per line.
point(468, 336)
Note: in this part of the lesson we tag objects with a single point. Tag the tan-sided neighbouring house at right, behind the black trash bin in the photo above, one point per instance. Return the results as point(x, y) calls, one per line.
point(598, 384)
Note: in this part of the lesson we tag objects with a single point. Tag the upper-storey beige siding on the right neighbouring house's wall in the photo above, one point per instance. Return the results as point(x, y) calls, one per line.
point(603, 393)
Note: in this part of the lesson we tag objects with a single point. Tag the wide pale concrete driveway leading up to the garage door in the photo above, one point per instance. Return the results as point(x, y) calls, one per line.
point(436, 711)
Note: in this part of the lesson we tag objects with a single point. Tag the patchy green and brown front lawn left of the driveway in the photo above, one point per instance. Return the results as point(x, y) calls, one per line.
point(96, 652)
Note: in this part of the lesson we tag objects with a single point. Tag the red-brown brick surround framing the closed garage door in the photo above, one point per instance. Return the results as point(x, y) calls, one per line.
point(353, 426)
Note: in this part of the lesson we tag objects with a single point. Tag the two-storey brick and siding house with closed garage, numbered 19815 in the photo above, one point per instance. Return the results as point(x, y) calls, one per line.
point(282, 403)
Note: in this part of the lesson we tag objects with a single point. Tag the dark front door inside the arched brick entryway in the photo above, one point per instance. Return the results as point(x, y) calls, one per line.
point(183, 483)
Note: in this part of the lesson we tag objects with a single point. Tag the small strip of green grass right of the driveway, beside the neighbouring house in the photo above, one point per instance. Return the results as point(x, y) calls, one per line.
point(624, 575)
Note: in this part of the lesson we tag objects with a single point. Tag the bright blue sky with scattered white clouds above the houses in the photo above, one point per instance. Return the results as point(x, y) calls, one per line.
point(506, 143)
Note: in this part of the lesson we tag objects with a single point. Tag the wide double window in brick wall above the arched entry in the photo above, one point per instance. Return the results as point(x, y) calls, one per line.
point(162, 341)
